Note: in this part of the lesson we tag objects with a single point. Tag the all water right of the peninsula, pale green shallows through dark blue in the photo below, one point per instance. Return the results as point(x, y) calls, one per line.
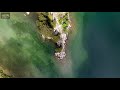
point(96, 47)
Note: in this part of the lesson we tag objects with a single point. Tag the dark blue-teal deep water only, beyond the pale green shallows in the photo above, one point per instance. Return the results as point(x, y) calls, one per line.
point(101, 40)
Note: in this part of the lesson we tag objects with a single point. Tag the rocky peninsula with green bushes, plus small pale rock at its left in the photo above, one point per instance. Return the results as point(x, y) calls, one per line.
point(54, 26)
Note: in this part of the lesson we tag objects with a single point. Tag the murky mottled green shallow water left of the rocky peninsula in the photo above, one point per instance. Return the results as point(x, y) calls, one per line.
point(22, 52)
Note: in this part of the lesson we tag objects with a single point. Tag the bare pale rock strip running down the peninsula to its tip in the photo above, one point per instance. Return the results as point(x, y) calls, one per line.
point(63, 35)
